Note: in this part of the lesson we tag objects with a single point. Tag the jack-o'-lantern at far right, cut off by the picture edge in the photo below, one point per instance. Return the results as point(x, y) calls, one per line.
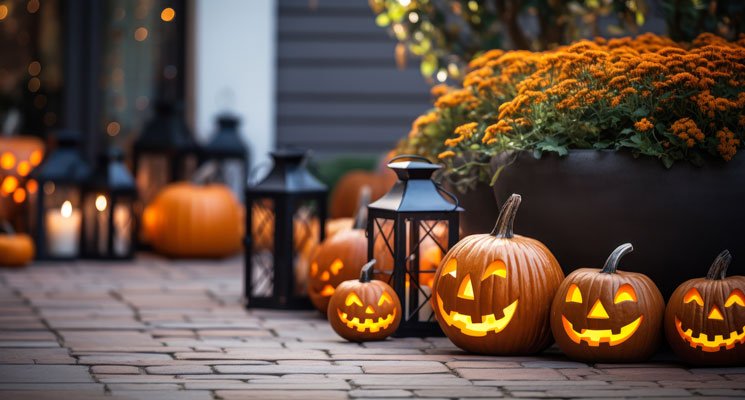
point(705, 317)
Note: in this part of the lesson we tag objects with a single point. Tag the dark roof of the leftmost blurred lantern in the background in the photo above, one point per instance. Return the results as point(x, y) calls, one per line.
point(64, 164)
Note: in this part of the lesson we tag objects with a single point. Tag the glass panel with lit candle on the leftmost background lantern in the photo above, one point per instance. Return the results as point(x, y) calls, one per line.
point(62, 219)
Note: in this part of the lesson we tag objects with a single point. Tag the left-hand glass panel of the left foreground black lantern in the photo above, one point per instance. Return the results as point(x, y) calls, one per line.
point(262, 254)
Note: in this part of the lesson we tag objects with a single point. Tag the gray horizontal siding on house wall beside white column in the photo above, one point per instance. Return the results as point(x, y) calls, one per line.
point(338, 89)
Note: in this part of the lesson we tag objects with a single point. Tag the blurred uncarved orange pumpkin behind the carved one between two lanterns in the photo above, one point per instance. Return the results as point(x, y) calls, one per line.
point(346, 193)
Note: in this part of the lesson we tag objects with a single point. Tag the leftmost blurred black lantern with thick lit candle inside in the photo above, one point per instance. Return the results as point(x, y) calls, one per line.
point(55, 217)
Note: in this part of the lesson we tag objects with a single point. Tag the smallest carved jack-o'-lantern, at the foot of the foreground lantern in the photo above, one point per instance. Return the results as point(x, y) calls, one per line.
point(364, 309)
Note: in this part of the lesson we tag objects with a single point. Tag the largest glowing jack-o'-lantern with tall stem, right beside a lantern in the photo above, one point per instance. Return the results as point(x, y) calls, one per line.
point(493, 292)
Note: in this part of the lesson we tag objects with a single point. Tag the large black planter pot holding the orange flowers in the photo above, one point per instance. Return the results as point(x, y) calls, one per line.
point(585, 204)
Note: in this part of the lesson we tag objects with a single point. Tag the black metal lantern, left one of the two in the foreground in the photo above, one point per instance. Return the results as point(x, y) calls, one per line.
point(285, 220)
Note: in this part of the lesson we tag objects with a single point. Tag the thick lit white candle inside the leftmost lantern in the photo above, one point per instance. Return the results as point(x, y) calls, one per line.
point(63, 231)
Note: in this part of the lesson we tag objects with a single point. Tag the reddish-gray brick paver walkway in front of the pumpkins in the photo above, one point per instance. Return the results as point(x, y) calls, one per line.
point(176, 330)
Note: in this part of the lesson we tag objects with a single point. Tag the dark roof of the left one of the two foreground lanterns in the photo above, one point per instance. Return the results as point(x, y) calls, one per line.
point(289, 175)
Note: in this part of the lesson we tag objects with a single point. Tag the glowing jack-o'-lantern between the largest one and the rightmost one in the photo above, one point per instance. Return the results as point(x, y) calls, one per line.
point(608, 315)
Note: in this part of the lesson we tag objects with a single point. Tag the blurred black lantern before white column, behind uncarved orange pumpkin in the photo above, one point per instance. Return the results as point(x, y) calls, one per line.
point(229, 153)
